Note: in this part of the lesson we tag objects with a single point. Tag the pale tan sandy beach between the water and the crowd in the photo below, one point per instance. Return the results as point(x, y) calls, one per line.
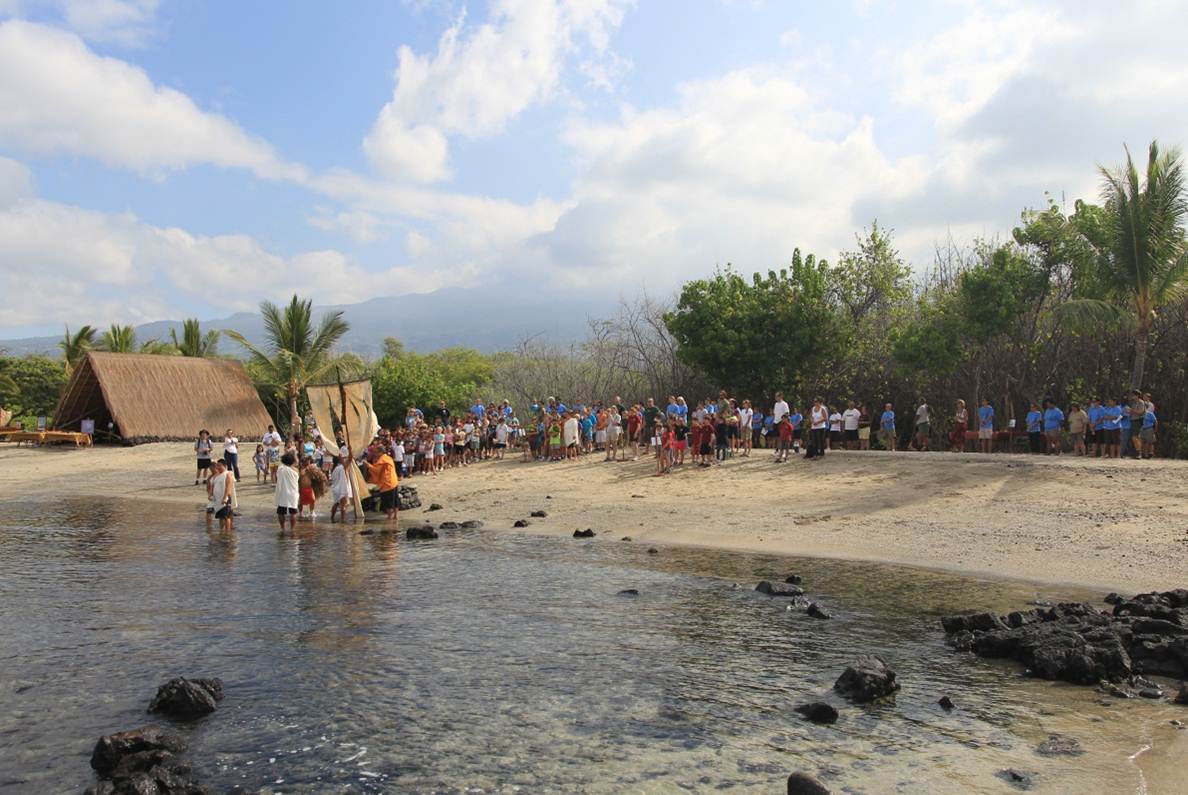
point(1102, 525)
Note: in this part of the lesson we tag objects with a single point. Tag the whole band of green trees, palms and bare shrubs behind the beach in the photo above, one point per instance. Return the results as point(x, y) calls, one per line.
point(1073, 306)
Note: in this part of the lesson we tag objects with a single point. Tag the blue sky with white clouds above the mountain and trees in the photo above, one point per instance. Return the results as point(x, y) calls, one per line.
point(162, 160)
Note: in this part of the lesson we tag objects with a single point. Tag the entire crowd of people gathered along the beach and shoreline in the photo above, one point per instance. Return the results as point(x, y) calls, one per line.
point(433, 440)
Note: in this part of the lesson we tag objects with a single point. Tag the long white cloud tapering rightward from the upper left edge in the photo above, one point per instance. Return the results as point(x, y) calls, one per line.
point(58, 97)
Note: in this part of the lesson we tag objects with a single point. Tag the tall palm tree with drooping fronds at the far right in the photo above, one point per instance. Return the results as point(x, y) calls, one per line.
point(1146, 260)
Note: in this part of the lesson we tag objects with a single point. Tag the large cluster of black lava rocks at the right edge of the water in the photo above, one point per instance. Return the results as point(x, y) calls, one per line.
point(1082, 645)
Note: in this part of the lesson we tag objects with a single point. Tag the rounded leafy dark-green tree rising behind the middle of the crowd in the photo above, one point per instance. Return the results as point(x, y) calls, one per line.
point(762, 336)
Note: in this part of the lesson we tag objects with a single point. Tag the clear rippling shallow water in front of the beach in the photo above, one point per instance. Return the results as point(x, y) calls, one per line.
point(490, 662)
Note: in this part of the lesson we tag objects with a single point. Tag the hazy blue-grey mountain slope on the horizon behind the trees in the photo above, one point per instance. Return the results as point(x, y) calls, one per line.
point(485, 319)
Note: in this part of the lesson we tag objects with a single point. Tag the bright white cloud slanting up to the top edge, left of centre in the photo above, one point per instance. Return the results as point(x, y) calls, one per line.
point(481, 79)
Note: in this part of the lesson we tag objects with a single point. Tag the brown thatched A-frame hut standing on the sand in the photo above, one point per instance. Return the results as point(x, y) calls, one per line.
point(159, 397)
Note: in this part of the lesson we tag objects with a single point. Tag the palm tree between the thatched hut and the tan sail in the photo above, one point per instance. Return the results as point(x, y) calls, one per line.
point(298, 354)
